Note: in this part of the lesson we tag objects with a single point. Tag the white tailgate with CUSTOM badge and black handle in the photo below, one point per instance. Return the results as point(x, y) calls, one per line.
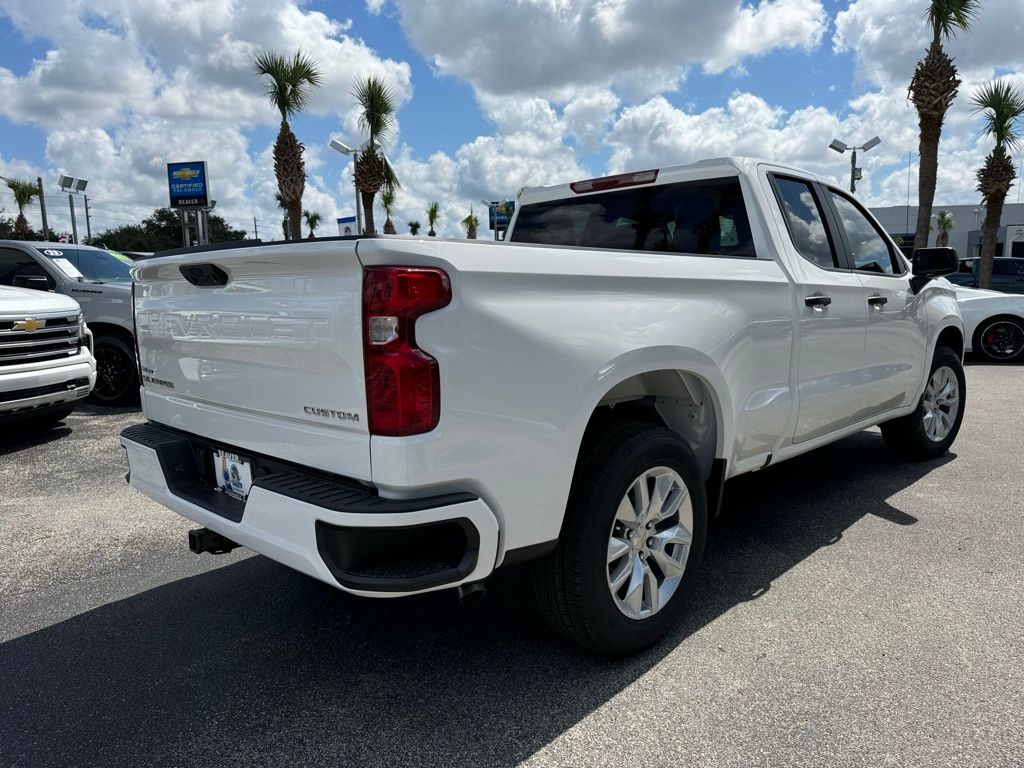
point(265, 353)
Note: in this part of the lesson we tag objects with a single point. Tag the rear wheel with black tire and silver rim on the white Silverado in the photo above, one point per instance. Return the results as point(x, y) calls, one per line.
point(574, 583)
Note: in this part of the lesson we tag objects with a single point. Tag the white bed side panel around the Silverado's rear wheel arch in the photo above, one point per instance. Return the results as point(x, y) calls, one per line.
point(536, 336)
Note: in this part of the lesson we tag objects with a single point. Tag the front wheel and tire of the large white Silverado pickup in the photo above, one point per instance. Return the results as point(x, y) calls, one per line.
point(931, 430)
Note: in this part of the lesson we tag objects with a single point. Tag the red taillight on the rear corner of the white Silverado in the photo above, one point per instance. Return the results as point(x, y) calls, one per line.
point(403, 381)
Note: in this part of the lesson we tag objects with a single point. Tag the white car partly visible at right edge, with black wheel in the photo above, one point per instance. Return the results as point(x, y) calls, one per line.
point(994, 324)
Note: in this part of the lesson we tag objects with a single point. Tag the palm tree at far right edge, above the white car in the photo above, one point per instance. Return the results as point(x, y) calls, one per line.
point(1003, 105)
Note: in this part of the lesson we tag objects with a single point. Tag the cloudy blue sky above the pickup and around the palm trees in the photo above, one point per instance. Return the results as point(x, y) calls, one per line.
point(494, 96)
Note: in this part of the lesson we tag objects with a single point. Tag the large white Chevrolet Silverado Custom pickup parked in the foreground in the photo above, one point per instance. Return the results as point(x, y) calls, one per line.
point(396, 415)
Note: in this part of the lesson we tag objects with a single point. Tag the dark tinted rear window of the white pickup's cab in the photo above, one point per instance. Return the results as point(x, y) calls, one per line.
point(707, 219)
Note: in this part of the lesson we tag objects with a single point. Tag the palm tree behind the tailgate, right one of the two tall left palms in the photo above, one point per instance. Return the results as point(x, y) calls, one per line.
point(373, 173)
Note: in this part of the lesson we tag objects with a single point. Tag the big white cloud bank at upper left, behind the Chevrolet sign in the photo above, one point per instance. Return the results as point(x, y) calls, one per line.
point(126, 87)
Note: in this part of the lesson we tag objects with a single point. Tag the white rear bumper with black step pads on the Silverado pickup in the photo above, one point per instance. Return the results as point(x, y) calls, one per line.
point(340, 533)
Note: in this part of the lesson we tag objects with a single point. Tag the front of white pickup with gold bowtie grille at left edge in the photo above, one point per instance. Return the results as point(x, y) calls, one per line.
point(47, 364)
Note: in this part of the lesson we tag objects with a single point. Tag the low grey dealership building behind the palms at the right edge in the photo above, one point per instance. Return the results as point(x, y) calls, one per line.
point(901, 222)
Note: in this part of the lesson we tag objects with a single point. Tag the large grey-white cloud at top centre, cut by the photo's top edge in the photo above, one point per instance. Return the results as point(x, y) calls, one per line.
point(552, 48)
